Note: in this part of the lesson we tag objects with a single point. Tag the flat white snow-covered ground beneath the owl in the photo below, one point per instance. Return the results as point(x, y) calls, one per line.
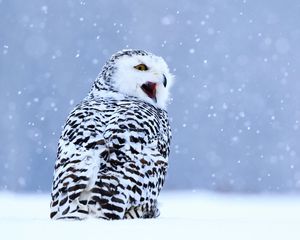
point(184, 215)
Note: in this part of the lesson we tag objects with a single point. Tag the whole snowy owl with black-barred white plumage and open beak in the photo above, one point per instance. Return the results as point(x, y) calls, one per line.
point(113, 153)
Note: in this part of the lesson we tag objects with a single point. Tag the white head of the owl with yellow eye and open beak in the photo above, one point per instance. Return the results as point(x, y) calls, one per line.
point(136, 73)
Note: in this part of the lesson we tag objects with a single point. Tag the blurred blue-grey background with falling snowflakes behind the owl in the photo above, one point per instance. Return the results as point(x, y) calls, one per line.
point(236, 102)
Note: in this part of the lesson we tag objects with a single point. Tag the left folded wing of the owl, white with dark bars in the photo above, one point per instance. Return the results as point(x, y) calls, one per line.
point(77, 162)
